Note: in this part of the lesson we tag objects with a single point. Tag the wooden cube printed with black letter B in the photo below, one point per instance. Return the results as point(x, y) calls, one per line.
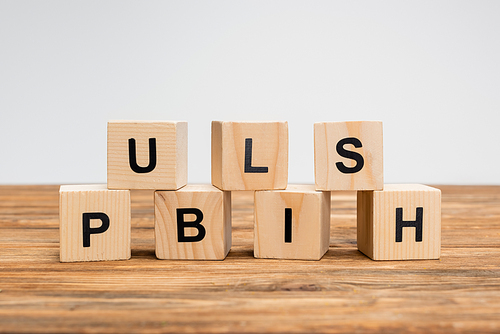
point(193, 223)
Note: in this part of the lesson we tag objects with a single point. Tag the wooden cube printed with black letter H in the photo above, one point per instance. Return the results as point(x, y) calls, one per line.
point(401, 222)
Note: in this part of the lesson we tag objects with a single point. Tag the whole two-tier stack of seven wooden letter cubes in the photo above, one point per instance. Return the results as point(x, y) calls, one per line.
point(395, 222)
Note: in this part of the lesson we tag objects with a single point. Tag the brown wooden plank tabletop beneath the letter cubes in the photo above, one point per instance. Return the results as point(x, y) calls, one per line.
point(344, 292)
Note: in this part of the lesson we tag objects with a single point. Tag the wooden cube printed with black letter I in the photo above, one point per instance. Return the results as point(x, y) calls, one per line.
point(292, 223)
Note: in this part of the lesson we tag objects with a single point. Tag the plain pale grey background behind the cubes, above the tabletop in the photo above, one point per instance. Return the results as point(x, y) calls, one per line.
point(428, 69)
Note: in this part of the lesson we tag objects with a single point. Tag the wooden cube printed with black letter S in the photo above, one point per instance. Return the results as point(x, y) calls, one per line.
point(348, 156)
